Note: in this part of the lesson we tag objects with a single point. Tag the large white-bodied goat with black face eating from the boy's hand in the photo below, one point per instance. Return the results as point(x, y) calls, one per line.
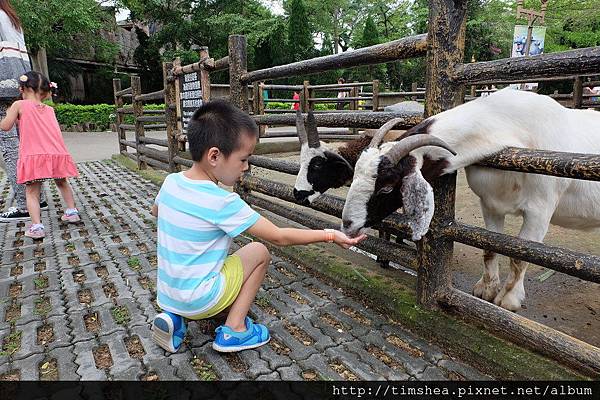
point(396, 175)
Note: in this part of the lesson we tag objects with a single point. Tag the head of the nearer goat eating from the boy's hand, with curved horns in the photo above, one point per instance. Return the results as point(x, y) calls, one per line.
point(387, 178)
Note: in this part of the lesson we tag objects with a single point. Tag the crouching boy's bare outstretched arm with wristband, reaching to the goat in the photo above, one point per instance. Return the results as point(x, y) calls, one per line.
point(266, 230)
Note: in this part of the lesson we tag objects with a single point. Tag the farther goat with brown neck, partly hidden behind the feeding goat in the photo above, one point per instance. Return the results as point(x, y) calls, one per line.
point(322, 168)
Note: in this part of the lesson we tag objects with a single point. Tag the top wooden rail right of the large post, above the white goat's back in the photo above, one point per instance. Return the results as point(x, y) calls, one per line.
point(565, 63)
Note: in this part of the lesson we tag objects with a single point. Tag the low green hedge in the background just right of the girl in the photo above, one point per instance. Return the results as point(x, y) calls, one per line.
point(97, 117)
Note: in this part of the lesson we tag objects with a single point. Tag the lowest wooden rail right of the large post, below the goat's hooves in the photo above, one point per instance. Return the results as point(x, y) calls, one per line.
point(542, 338)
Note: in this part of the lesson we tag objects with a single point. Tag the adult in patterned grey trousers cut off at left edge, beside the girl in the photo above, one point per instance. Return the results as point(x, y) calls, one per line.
point(14, 62)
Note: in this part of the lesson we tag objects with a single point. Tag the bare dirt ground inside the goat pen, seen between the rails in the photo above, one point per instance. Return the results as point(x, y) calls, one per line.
point(568, 304)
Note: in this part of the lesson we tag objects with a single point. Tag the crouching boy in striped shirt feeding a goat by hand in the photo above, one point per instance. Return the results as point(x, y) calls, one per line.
point(197, 221)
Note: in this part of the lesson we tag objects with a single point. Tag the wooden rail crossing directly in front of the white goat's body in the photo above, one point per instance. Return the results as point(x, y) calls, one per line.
point(553, 163)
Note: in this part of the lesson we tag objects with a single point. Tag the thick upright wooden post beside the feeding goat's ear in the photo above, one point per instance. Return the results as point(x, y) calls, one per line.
point(445, 49)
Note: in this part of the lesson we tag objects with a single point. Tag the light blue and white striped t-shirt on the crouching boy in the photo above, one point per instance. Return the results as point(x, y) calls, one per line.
point(197, 221)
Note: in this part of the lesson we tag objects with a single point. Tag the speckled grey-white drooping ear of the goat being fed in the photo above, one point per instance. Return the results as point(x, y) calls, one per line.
point(417, 197)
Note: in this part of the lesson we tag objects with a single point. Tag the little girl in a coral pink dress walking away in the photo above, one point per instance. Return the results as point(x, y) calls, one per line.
point(42, 151)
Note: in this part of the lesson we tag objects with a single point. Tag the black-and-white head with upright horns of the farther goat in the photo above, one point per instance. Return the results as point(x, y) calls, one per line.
point(320, 168)
